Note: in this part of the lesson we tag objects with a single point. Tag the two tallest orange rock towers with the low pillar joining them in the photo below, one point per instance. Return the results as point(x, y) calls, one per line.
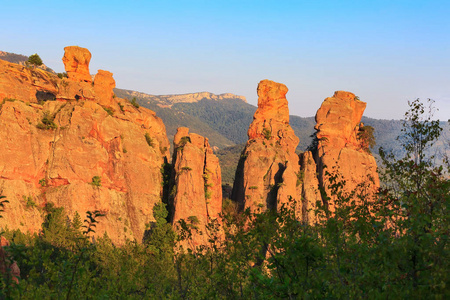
point(270, 173)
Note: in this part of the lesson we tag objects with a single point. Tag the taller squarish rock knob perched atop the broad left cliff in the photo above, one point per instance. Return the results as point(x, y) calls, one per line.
point(76, 62)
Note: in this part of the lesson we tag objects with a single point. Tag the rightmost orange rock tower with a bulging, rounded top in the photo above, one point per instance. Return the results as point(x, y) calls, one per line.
point(339, 148)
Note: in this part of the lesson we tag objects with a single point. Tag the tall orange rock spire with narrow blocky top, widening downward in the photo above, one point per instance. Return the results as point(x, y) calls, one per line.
point(267, 173)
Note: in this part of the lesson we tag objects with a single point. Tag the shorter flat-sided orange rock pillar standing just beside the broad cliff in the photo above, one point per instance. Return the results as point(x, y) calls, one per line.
point(197, 185)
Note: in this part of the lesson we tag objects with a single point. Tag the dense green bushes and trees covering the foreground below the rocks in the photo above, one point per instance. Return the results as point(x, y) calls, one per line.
point(394, 246)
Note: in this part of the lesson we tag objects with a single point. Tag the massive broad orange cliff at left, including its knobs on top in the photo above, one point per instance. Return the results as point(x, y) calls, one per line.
point(72, 143)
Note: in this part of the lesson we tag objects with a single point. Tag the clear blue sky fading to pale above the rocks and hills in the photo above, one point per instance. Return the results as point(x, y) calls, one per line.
point(385, 52)
